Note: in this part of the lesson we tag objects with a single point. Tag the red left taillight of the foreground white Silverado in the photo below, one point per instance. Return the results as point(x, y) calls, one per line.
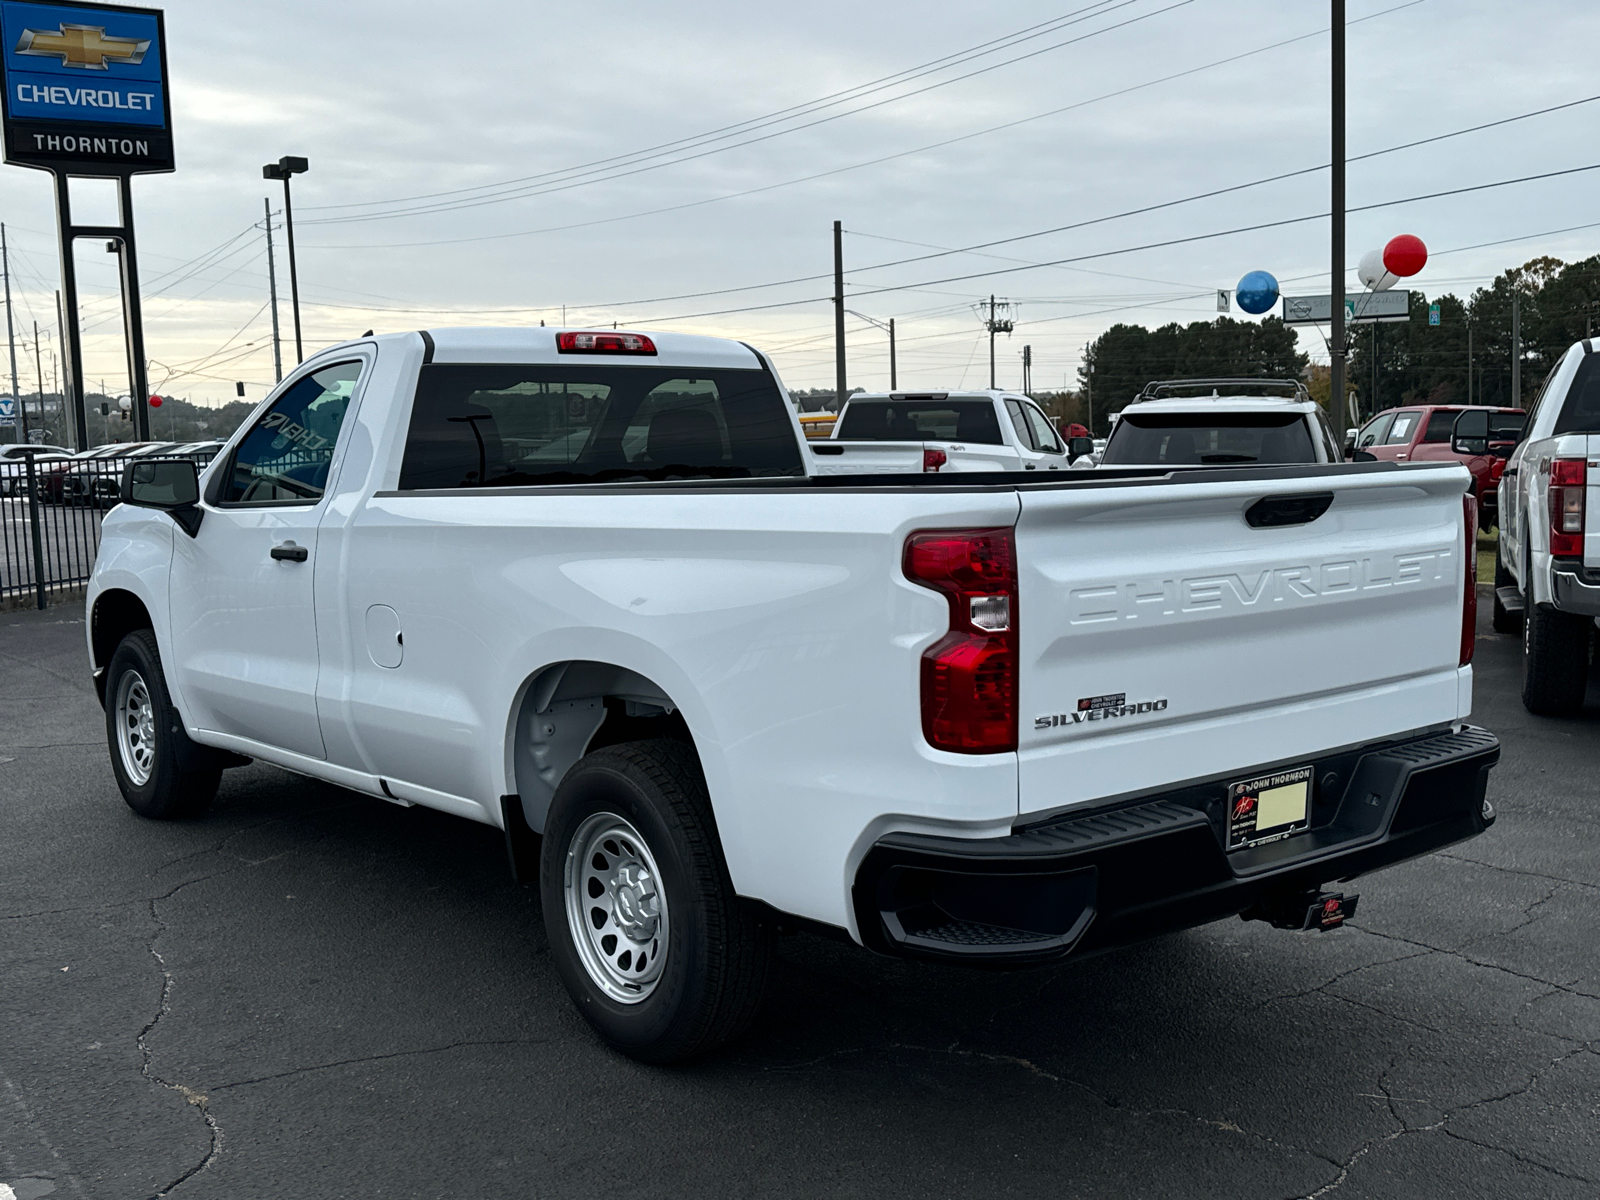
point(969, 678)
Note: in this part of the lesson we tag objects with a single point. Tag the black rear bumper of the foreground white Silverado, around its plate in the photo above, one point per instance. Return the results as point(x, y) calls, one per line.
point(1116, 876)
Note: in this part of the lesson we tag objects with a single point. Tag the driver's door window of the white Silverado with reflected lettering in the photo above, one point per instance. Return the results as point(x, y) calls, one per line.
point(286, 458)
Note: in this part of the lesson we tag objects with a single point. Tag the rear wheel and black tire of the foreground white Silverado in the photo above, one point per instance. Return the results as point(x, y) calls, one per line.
point(711, 974)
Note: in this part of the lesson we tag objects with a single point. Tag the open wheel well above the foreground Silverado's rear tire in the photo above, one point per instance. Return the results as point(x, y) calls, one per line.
point(567, 710)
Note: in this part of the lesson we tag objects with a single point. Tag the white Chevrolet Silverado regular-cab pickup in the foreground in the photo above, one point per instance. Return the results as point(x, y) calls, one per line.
point(586, 588)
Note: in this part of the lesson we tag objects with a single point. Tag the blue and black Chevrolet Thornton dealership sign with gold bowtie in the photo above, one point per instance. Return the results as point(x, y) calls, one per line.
point(86, 89)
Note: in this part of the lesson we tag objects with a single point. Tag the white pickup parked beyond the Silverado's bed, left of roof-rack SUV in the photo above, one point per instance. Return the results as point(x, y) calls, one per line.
point(942, 431)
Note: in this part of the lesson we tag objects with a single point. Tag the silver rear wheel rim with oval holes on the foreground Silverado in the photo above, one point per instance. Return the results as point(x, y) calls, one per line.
point(617, 910)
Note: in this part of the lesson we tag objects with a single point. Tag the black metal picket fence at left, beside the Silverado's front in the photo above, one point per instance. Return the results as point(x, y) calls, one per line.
point(50, 518)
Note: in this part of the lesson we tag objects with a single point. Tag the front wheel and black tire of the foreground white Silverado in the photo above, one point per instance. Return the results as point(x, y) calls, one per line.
point(156, 762)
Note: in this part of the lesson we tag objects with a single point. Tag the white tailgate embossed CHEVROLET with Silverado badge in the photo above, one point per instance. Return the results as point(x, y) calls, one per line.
point(1166, 641)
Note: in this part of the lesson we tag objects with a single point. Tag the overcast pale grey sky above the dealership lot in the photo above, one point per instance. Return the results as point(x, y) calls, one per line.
point(582, 156)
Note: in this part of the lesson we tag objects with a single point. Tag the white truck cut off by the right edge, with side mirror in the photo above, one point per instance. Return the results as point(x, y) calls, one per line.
point(1548, 556)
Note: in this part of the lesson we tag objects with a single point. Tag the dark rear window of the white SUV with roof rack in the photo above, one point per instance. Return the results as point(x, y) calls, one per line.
point(1209, 439)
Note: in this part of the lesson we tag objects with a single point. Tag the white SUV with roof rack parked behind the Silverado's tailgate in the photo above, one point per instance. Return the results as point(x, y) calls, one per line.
point(1210, 423)
